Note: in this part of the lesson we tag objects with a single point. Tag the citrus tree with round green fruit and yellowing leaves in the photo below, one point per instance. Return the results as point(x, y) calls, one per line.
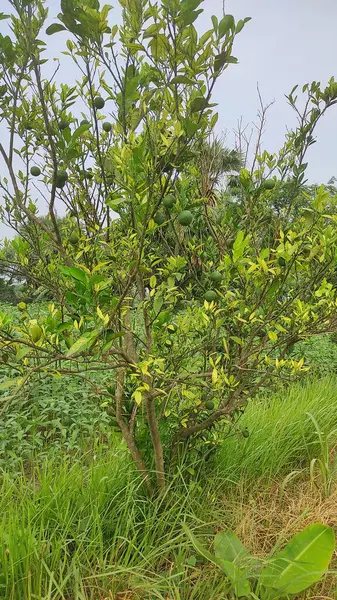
point(184, 307)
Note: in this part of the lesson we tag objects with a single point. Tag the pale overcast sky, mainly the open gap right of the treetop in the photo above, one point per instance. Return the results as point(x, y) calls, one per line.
point(286, 42)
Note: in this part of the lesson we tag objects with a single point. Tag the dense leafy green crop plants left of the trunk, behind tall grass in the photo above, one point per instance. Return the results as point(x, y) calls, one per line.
point(52, 416)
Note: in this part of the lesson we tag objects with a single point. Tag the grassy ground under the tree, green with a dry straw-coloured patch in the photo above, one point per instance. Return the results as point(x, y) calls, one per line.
point(82, 528)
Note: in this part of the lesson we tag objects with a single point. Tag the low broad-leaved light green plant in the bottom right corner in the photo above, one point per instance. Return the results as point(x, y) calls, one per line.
point(302, 562)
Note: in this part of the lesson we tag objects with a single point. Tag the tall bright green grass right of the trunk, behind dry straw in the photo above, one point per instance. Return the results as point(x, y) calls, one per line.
point(281, 435)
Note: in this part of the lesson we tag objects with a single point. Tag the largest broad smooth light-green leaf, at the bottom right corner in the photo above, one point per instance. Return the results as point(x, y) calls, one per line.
point(302, 562)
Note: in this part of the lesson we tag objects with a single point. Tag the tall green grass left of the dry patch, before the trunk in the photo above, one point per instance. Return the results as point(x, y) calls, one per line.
point(69, 530)
